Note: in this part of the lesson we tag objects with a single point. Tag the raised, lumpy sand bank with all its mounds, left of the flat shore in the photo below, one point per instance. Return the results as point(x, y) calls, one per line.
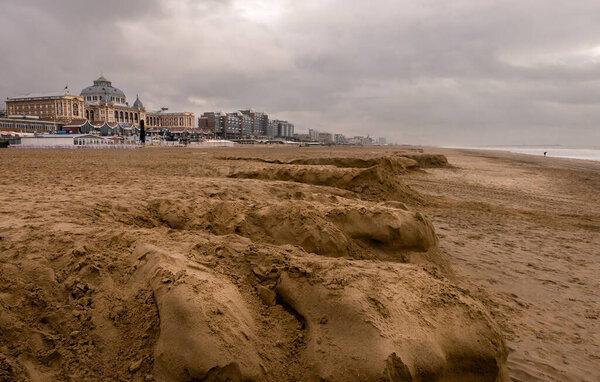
point(190, 275)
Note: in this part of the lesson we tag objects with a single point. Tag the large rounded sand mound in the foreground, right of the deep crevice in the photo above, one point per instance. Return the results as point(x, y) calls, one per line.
point(418, 334)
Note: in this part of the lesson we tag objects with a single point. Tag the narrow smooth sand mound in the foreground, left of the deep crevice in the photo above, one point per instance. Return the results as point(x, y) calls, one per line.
point(206, 331)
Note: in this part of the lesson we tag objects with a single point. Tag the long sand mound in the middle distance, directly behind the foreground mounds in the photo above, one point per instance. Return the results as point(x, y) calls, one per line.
point(336, 228)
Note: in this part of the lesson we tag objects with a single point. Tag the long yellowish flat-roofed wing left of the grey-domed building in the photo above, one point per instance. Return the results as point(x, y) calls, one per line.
point(55, 107)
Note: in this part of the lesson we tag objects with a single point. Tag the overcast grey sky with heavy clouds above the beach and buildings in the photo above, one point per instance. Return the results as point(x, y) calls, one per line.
point(433, 72)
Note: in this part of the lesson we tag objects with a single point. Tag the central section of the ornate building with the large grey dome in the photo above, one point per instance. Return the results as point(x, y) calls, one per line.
point(107, 103)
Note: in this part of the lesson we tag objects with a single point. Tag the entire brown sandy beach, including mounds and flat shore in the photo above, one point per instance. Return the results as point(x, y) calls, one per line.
point(270, 264)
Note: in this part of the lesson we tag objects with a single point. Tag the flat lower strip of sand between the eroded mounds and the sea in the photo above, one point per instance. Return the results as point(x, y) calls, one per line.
point(524, 232)
